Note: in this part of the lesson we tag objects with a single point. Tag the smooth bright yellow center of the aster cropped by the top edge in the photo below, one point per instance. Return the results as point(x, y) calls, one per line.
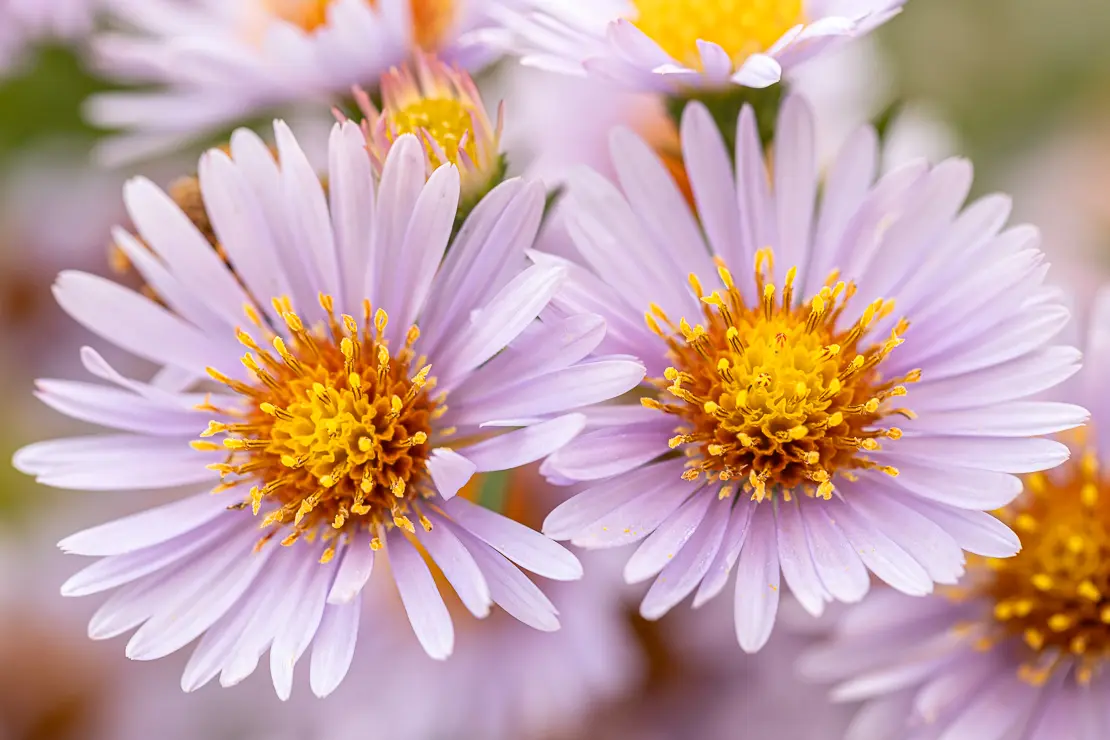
point(740, 27)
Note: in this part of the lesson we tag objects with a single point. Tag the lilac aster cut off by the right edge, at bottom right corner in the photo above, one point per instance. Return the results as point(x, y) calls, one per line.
point(1021, 648)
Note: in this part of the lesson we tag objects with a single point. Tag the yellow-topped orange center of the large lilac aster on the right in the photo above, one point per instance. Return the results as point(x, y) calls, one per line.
point(774, 394)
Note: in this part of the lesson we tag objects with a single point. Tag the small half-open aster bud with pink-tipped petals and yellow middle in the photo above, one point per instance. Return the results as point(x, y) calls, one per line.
point(445, 109)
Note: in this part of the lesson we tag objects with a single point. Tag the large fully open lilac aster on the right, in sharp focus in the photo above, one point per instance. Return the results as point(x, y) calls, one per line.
point(841, 387)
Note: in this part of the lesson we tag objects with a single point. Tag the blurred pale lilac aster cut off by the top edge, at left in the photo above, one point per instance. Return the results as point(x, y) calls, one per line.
point(219, 64)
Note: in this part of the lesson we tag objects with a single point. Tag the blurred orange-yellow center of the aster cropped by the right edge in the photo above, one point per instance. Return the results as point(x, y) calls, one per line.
point(1055, 594)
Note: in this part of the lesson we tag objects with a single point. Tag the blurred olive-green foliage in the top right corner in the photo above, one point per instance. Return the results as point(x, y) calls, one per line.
point(1003, 73)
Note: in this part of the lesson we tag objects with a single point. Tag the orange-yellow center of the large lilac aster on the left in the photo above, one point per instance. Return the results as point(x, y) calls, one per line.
point(336, 433)
